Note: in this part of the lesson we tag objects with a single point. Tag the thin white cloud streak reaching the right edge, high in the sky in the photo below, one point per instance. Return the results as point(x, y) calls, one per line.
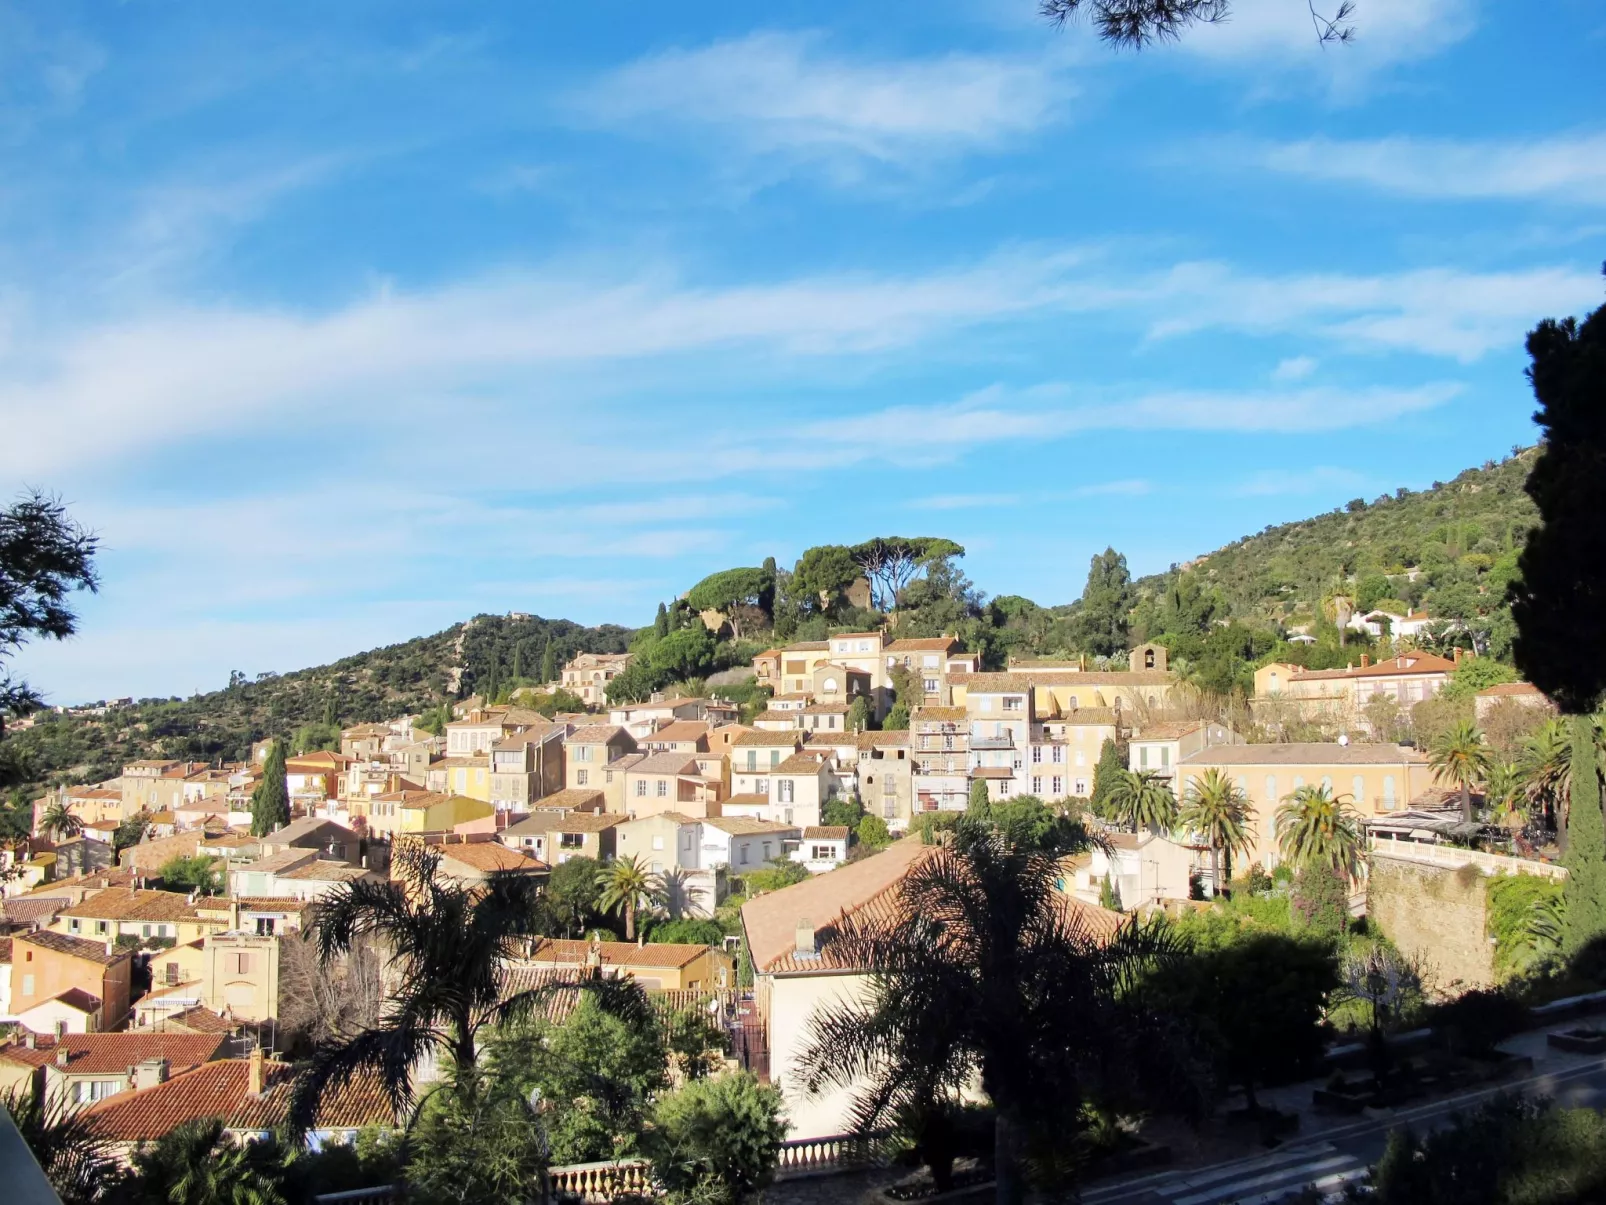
point(1568, 168)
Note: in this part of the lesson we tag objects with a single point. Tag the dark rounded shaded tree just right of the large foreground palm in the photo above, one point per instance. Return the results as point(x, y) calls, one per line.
point(1258, 1005)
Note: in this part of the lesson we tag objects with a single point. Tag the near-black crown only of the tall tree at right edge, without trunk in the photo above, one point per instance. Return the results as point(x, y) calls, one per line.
point(1560, 602)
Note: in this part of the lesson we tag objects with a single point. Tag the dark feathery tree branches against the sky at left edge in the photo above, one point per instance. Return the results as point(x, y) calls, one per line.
point(44, 558)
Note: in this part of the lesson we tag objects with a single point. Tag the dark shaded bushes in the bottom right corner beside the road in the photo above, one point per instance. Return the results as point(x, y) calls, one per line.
point(1510, 1151)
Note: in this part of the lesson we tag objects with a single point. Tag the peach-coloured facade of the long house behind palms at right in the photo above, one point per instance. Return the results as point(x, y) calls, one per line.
point(1376, 778)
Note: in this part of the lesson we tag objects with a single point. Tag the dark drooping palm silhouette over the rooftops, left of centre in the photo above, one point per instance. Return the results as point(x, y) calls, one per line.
point(450, 949)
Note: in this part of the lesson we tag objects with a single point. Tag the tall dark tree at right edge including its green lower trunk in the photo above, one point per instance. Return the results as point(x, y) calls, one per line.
point(1560, 600)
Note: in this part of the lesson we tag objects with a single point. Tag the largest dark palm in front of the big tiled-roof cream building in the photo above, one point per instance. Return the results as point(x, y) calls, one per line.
point(987, 974)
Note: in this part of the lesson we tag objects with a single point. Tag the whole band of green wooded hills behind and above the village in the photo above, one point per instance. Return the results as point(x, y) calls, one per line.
point(1449, 550)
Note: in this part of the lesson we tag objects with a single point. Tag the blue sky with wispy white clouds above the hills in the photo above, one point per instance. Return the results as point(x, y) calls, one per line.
point(346, 322)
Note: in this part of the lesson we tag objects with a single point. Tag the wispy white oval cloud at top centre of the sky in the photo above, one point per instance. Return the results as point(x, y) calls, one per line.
point(786, 96)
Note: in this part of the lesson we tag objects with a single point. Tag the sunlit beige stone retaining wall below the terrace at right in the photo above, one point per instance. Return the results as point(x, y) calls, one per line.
point(1438, 915)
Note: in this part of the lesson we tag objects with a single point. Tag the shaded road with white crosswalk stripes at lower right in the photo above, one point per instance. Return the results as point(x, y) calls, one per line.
point(1332, 1159)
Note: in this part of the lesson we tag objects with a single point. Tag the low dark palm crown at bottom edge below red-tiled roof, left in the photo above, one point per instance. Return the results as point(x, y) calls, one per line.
point(198, 1164)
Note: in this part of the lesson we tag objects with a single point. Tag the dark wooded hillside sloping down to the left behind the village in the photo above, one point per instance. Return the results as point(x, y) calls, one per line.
point(381, 684)
